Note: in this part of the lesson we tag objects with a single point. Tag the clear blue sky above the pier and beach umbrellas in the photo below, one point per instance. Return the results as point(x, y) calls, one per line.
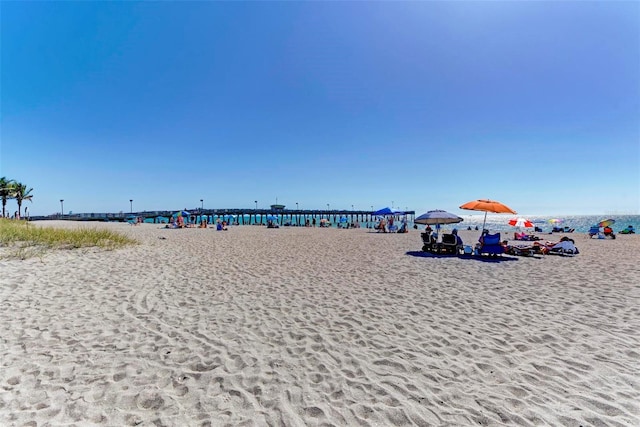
point(423, 105)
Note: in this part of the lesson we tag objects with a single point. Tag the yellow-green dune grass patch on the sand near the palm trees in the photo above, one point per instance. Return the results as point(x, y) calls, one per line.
point(24, 239)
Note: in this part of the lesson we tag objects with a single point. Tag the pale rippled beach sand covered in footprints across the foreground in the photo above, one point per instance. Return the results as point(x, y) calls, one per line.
point(309, 327)
